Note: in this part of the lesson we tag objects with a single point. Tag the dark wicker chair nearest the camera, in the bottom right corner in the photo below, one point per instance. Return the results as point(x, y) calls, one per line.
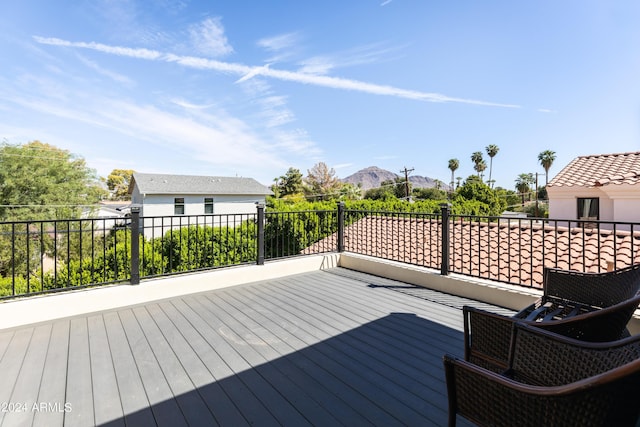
point(551, 380)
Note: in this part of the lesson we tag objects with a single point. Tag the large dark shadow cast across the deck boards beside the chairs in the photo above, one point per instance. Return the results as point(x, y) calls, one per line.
point(385, 372)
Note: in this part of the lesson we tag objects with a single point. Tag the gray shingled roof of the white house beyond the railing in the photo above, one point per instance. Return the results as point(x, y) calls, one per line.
point(149, 183)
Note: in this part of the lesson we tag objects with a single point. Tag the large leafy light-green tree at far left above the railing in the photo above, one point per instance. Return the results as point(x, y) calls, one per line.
point(40, 181)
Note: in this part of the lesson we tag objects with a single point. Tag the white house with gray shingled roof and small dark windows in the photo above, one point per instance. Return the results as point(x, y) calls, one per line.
point(168, 195)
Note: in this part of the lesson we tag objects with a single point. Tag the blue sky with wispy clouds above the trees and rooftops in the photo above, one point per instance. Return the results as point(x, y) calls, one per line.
point(251, 88)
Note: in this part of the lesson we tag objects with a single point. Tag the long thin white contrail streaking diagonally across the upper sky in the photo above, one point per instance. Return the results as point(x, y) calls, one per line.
point(304, 78)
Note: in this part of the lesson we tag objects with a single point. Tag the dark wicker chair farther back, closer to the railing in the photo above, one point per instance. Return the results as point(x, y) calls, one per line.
point(587, 306)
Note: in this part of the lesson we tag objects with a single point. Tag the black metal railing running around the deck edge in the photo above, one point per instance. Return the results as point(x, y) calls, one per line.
point(48, 256)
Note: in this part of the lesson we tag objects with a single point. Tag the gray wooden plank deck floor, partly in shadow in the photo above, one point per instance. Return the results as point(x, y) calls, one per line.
point(331, 347)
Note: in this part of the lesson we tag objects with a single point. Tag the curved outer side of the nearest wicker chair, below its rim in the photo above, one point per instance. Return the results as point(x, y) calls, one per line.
point(488, 398)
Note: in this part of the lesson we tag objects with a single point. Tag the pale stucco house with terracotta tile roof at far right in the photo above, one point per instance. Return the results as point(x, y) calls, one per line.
point(603, 187)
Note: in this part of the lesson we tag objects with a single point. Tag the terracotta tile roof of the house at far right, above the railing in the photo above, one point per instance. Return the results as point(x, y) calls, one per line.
point(600, 170)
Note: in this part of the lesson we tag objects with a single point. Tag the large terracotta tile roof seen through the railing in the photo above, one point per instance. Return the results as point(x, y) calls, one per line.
point(511, 251)
